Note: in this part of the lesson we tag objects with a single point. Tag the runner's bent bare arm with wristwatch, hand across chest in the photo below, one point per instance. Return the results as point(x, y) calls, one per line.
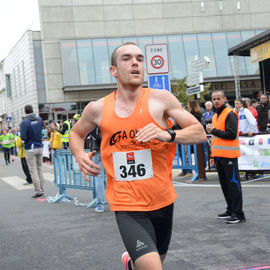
point(163, 105)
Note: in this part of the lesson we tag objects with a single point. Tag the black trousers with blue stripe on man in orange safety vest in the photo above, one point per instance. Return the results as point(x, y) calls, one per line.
point(230, 184)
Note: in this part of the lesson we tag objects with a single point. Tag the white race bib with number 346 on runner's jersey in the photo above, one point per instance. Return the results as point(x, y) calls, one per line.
point(134, 165)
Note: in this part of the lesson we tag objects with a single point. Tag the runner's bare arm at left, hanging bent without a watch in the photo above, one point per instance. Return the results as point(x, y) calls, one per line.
point(90, 119)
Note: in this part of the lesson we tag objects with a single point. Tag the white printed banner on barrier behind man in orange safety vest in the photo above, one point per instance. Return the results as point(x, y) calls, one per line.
point(255, 153)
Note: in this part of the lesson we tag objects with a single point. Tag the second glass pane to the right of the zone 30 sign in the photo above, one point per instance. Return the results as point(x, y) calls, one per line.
point(191, 50)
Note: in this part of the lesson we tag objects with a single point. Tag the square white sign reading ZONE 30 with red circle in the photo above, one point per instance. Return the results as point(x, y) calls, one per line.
point(157, 58)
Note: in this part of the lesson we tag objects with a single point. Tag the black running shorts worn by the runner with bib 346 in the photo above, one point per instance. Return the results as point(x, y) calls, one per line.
point(144, 232)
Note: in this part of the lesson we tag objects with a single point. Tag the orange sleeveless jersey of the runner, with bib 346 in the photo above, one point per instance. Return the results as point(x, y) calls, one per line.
point(139, 175)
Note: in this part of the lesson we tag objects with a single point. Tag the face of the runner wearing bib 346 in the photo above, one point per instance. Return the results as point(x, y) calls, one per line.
point(130, 66)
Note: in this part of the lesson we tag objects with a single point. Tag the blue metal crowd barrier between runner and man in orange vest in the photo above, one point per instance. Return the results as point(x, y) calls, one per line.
point(183, 159)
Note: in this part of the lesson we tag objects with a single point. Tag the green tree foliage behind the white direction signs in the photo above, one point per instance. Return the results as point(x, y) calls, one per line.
point(179, 87)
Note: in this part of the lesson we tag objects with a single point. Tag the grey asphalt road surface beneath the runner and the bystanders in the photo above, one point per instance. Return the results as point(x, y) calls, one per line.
point(40, 235)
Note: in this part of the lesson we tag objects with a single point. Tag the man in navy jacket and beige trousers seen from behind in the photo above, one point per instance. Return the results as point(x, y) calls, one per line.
point(31, 135)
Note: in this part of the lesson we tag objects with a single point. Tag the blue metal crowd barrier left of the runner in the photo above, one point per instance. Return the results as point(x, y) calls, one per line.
point(67, 174)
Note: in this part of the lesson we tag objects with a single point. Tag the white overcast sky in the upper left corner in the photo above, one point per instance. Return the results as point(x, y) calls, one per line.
point(16, 16)
